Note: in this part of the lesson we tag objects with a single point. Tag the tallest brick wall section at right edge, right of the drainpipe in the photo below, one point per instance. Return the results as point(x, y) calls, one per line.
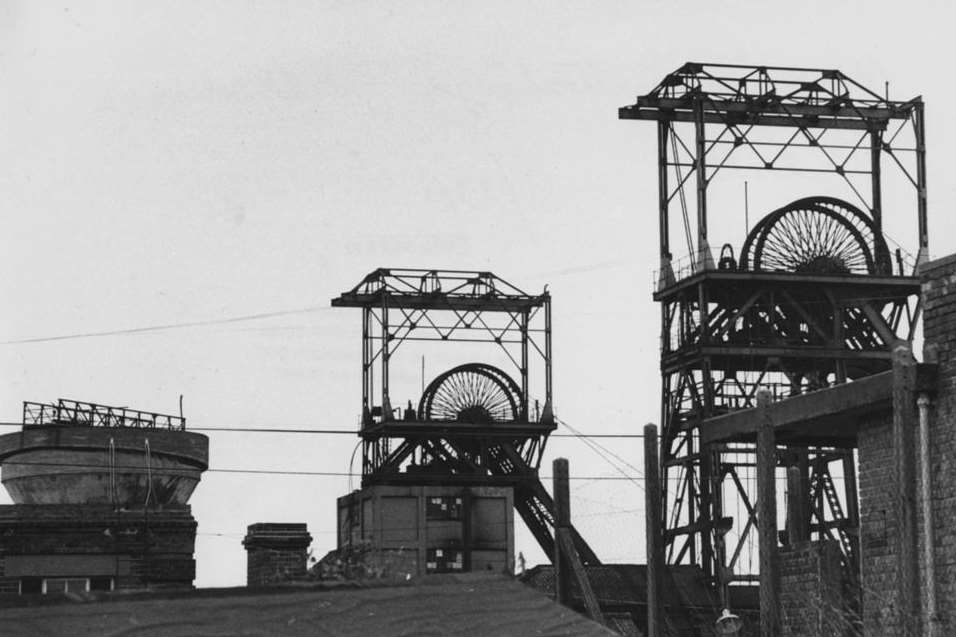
point(939, 331)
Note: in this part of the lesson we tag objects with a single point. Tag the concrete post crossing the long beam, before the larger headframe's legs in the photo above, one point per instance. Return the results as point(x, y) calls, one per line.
point(767, 518)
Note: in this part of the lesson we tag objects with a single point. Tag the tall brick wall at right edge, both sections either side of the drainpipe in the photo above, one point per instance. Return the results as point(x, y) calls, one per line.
point(882, 523)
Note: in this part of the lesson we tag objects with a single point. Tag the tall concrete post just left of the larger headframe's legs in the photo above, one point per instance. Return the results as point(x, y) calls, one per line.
point(652, 516)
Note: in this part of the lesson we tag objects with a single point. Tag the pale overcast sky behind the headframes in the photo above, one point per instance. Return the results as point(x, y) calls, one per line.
point(190, 162)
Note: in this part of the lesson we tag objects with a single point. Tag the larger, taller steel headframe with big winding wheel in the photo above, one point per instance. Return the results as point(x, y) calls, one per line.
point(813, 296)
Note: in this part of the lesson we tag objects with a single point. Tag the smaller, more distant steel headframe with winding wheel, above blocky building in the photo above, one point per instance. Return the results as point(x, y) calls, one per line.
point(473, 424)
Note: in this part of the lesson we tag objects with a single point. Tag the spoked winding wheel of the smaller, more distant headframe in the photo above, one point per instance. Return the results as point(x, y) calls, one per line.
point(474, 393)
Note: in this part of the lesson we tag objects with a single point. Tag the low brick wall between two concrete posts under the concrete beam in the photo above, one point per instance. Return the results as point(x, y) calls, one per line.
point(813, 593)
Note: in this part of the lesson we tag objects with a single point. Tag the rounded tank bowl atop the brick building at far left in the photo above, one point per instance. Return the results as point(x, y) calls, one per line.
point(126, 467)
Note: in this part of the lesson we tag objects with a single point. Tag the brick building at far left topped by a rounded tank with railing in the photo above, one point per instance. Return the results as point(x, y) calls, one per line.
point(100, 500)
